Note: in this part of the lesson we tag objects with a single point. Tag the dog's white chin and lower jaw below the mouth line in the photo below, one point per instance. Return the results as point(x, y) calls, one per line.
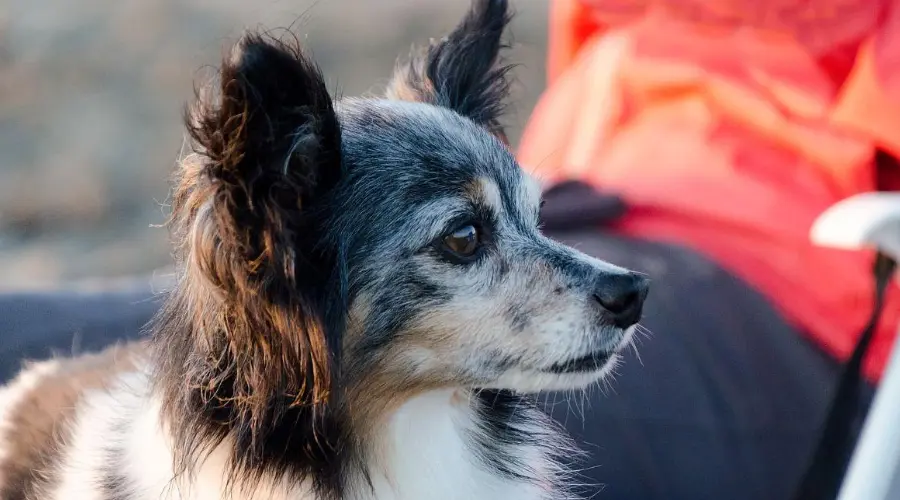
point(529, 380)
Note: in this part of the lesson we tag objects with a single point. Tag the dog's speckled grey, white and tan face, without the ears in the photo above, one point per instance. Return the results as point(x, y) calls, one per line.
point(450, 278)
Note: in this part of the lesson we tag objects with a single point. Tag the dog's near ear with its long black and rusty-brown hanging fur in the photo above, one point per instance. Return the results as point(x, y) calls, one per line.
point(255, 350)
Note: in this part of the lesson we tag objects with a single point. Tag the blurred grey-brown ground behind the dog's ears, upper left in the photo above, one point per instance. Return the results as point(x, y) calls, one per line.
point(92, 92)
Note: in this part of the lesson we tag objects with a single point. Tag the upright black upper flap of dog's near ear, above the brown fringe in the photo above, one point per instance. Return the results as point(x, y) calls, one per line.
point(271, 125)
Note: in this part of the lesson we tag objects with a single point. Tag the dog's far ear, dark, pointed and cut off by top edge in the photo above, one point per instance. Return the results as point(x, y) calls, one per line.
point(462, 71)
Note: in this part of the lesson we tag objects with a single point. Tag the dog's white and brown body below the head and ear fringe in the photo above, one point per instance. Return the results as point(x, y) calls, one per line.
point(114, 445)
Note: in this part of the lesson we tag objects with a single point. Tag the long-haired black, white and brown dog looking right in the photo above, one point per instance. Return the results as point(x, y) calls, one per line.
point(364, 301)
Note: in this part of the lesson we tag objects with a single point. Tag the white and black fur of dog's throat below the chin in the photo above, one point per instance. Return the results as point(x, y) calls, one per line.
point(440, 445)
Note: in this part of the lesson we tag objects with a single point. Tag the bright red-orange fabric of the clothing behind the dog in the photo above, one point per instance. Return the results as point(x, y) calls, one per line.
point(729, 126)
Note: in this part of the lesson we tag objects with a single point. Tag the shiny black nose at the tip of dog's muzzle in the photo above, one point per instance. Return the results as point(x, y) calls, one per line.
point(622, 296)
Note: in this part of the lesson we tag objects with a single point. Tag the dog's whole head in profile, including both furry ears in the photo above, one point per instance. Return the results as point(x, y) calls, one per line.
point(381, 246)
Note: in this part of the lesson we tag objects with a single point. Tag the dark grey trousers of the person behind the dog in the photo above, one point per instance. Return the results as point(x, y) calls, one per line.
point(725, 405)
